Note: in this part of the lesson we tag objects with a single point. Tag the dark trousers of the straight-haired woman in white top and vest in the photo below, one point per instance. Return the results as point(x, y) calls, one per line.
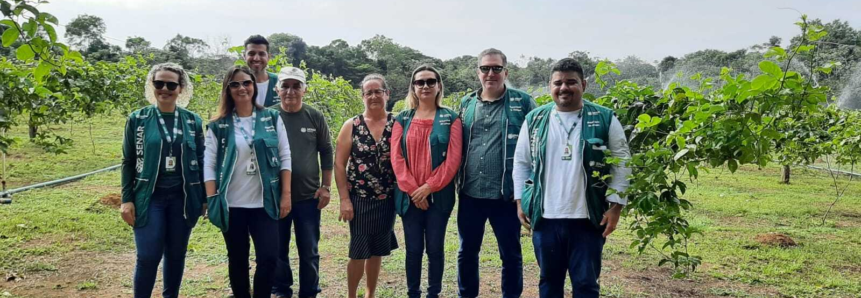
point(264, 232)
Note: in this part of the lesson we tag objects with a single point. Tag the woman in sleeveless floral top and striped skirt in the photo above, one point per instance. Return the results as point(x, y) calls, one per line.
point(363, 171)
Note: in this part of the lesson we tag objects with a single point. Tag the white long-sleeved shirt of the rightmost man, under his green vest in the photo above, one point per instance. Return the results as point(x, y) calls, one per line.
point(564, 181)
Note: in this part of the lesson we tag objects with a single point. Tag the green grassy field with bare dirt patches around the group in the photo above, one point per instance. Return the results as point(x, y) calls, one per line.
point(68, 241)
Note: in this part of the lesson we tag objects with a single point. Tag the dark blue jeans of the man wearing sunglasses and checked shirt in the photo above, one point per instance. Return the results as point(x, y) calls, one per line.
point(472, 214)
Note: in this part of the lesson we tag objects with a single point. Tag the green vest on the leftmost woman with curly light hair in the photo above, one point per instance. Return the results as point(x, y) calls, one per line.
point(142, 146)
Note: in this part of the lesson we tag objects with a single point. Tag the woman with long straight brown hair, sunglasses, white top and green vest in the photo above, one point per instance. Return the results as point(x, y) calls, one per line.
point(247, 177)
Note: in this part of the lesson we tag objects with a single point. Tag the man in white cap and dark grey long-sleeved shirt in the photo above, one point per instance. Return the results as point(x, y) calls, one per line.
point(309, 140)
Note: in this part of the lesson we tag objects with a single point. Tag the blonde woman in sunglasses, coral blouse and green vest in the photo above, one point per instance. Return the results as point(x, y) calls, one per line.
point(426, 153)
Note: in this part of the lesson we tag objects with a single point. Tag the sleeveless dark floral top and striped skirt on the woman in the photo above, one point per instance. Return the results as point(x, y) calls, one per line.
point(372, 181)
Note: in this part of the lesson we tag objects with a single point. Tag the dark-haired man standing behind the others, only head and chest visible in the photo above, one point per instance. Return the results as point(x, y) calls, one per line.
point(257, 57)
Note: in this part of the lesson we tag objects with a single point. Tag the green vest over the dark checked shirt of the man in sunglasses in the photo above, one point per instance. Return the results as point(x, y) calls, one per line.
point(517, 105)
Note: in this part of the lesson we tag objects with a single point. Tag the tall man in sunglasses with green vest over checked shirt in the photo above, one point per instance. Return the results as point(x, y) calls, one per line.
point(491, 117)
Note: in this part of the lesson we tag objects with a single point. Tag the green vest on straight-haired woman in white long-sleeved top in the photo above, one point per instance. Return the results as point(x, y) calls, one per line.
point(268, 164)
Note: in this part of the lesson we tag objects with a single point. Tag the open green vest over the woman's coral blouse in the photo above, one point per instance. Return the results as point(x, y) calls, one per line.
point(439, 139)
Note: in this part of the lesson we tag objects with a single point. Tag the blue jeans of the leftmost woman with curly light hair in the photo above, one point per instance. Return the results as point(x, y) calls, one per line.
point(163, 238)
